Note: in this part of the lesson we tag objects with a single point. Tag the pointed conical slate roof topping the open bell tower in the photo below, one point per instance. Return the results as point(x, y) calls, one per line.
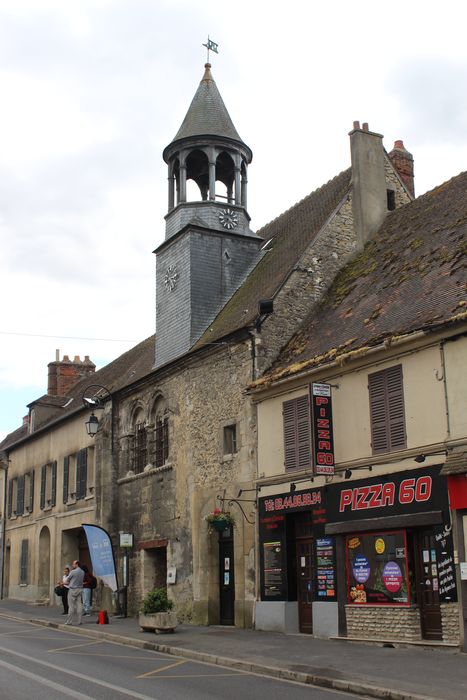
point(207, 114)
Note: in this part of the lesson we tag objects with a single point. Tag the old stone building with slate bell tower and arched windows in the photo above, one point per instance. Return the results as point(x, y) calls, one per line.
point(178, 436)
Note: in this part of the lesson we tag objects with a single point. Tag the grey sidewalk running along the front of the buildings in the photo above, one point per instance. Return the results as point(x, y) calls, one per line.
point(403, 673)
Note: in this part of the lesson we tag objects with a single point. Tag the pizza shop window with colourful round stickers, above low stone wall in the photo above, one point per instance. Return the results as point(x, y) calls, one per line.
point(377, 569)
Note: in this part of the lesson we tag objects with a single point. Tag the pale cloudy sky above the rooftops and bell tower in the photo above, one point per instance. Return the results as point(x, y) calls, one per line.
point(93, 90)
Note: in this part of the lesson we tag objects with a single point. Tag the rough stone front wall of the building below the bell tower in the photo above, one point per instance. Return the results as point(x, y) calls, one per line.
point(202, 395)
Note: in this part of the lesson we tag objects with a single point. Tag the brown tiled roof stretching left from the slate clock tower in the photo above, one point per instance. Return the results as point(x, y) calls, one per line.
point(126, 369)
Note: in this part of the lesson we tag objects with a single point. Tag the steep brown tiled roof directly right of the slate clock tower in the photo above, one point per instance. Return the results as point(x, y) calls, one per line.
point(286, 238)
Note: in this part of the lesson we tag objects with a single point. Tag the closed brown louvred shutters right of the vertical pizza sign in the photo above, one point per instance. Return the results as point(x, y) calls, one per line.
point(387, 415)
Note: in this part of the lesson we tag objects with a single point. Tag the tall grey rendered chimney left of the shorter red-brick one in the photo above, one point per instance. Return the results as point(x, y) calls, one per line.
point(369, 198)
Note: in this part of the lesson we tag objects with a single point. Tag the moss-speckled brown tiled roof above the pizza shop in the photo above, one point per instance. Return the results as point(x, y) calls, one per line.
point(410, 276)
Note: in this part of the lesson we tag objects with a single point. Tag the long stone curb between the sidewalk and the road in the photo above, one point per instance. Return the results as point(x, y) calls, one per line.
point(355, 687)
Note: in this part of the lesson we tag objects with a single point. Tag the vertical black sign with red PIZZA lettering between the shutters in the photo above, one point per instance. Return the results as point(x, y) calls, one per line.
point(321, 417)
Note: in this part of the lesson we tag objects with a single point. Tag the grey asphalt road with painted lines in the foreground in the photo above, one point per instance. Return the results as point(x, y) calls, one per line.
point(48, 664)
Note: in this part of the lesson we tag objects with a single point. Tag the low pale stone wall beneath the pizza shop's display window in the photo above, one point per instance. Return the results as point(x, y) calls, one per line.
point(380, 622)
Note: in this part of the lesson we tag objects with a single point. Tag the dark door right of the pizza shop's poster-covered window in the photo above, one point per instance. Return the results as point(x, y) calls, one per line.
point(428, 587)
